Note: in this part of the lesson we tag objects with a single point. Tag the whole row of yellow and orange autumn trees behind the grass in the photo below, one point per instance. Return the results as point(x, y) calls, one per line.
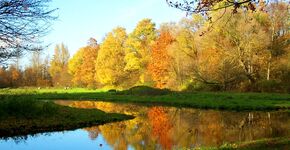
point(245, 51)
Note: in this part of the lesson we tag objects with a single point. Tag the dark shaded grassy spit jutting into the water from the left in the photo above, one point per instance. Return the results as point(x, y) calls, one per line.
point(21, 116)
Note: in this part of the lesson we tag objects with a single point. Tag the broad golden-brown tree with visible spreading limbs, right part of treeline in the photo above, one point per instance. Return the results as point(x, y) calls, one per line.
point(237, 47)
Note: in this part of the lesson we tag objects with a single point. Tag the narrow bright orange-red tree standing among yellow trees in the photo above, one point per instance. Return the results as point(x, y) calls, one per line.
point(160, 64)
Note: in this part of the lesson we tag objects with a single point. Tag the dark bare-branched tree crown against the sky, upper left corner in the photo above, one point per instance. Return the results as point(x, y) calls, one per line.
point(22, 23)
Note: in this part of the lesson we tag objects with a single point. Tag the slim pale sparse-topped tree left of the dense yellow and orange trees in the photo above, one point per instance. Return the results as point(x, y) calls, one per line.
point(58, 66)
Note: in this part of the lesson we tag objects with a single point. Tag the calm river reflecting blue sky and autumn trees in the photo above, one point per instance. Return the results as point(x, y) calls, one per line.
point(159, 128)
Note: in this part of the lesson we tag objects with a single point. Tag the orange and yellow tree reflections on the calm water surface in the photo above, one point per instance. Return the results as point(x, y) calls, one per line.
point(171, 128)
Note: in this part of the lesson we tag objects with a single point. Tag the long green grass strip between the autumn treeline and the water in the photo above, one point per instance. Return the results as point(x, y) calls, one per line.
point(204, 100)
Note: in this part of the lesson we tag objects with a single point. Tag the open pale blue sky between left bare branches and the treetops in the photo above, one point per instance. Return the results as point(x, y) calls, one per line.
point(81, 19)
